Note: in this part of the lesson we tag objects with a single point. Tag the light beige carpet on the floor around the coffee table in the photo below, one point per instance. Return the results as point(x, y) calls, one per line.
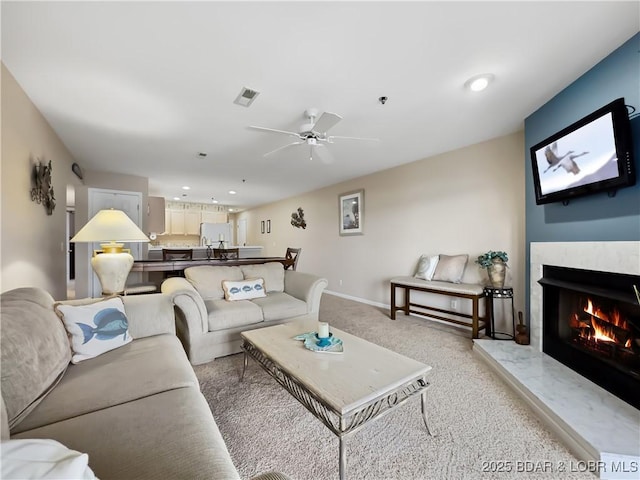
point(480, 425)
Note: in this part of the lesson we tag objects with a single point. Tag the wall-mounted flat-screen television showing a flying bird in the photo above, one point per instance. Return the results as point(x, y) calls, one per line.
point(592, 155)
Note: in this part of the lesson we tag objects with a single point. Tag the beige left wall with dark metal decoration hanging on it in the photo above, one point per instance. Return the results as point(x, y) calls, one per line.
point(33, 244)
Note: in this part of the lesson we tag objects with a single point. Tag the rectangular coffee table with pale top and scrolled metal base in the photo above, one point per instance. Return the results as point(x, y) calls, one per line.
point(345, 390)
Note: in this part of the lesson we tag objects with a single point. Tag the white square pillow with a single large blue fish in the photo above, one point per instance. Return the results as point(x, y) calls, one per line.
point(95, 328)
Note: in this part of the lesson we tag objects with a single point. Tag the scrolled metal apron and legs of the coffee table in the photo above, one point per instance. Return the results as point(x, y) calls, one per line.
point(341, 424)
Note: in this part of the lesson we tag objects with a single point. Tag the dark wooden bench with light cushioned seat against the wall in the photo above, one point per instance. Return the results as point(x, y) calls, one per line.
point(467, 291)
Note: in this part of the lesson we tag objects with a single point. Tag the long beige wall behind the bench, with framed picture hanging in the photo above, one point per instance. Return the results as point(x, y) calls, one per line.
point(466, 201)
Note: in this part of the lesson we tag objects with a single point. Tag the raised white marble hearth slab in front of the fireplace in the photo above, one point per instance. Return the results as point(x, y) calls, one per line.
point(594, 424)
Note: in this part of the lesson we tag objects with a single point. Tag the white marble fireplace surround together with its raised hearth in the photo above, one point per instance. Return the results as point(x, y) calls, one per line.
point(594, 424)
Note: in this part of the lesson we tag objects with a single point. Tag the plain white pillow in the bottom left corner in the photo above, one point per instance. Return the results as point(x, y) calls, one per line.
point(43, 458)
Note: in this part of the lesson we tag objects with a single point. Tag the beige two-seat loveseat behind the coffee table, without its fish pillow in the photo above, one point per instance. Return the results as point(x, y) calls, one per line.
point(209, 324)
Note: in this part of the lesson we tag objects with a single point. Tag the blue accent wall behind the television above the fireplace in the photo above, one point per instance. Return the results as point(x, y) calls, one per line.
point(596, 217)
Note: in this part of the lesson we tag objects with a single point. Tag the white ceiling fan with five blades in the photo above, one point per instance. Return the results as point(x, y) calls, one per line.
point(312, 133)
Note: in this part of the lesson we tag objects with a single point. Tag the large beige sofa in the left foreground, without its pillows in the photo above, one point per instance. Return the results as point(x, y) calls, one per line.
point(136, 410)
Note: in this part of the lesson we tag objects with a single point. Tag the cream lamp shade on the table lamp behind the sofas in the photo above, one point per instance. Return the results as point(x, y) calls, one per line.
point(110, 226)
